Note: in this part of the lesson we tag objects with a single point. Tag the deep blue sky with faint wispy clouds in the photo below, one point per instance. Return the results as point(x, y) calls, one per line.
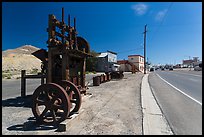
point(174, 29)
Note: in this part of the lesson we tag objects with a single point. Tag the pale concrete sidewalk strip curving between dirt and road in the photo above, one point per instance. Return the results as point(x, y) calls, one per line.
point(154, 122)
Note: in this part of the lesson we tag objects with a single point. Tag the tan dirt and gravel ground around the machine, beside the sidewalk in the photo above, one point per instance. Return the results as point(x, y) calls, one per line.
point(113, 108)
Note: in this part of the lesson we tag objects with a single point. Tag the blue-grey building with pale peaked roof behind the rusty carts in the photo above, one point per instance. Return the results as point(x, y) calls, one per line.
point(107, 62)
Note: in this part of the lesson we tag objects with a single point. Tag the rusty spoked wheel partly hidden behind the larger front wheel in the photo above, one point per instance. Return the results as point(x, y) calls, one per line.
point(74, 95)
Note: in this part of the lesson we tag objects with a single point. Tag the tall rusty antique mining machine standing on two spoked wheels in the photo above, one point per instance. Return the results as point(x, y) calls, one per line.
point(64, 66)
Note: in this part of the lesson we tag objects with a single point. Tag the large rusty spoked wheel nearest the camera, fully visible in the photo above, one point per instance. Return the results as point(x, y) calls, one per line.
point(51, 104)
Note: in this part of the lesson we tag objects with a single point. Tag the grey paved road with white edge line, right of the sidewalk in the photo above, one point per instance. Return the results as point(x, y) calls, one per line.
point(180, 99)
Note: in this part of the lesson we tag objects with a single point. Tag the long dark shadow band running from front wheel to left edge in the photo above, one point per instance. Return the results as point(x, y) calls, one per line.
point(18, 102)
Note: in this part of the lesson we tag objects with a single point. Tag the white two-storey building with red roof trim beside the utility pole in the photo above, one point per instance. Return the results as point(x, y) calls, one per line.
point(138, 61)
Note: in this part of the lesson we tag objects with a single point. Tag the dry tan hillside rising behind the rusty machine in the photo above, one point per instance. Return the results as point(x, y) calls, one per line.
point(15, 60)
